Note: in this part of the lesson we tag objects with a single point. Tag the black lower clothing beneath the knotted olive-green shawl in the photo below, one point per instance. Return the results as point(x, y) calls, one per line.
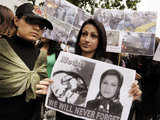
point(16, 108)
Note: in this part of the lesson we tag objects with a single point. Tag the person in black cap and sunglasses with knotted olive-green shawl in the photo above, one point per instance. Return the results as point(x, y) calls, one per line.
point(22, 66)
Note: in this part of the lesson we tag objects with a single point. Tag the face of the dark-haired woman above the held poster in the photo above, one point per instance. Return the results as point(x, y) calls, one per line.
point(89, 39)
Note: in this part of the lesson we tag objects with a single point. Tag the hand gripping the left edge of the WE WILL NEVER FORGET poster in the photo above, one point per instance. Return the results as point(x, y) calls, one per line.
point(42, 87)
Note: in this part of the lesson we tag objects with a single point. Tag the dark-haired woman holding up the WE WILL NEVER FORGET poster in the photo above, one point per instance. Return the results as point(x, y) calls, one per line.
point(91, 43)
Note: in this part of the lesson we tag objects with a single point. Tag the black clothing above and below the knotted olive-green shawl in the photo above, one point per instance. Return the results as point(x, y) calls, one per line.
point(16, 108)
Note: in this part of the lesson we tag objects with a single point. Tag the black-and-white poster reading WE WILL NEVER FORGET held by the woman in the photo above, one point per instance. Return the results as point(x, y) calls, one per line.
point(90, 89)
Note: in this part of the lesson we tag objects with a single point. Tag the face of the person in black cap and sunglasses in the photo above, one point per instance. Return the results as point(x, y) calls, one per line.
point(28, 31)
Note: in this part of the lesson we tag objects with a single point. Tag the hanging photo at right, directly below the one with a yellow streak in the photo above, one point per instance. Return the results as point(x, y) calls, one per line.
point(138, 43)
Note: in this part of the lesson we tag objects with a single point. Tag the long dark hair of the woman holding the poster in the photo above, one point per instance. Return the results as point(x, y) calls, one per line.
point(102, 38)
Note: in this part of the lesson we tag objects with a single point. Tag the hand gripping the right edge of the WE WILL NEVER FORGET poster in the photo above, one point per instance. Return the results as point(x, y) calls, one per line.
point(135, 91)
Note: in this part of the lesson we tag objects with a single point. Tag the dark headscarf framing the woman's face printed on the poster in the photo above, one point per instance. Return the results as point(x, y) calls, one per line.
point(118, 75)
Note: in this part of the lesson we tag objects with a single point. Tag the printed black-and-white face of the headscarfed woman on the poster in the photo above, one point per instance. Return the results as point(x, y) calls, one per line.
point(109, 86)
